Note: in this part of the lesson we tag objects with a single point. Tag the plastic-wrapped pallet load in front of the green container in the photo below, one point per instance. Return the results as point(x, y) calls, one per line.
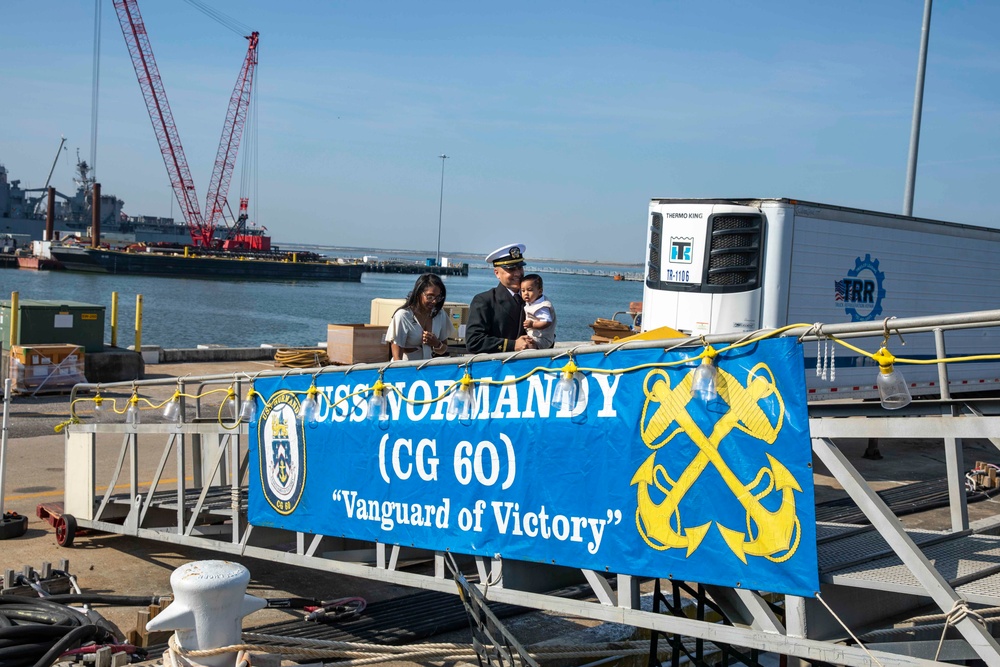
point(39, 369)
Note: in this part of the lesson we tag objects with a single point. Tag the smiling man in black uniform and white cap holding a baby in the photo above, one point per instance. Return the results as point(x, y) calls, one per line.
point(496, 317)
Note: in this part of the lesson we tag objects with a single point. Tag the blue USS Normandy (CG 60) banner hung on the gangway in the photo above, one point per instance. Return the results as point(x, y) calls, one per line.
point(613, 467)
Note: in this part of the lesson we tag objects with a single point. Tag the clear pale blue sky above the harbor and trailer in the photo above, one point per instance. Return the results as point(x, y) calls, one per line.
point(562, 119)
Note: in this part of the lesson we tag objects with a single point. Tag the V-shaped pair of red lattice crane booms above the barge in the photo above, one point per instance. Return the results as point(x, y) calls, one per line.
point(153, 92)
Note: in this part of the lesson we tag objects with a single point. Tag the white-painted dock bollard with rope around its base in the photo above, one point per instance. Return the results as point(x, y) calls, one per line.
point(210, 601)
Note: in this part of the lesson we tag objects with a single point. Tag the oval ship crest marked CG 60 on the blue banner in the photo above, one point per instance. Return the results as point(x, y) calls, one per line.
point(282, 452)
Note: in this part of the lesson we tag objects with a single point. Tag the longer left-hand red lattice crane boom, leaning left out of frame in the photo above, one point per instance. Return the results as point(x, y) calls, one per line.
point(137, 41)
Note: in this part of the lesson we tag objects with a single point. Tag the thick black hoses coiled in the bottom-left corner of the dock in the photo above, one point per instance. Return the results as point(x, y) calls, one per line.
point(34, 632)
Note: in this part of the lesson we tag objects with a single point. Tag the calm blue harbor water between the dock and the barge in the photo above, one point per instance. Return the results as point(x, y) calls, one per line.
point(187, 312)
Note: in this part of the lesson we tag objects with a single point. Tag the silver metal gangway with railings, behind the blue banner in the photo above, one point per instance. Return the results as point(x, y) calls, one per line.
point(872, 576)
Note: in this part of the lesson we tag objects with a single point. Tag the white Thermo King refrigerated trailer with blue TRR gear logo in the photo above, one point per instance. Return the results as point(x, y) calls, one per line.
point(718, 266)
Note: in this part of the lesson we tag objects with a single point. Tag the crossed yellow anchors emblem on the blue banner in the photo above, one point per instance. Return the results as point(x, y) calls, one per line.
point(768, 533)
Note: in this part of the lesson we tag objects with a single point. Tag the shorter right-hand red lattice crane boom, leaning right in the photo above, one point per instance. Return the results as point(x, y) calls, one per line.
point(232, 133)
